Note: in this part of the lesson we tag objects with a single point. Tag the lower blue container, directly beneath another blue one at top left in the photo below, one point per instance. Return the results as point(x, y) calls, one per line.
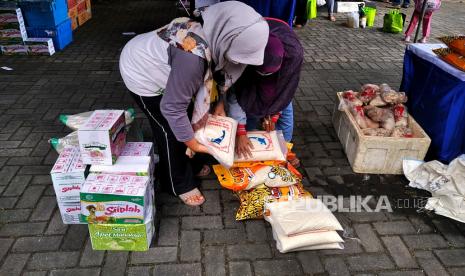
point(62, 34)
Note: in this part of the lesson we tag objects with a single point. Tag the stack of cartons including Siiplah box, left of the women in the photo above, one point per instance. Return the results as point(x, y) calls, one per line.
point(104, 181)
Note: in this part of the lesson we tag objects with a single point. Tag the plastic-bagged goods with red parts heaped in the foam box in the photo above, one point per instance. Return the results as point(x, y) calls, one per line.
point(378, 110)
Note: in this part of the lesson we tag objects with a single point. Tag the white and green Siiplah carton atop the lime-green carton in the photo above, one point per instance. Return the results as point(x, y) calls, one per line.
point(116, 199)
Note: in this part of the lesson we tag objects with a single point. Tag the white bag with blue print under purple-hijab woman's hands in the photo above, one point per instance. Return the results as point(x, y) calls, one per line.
point(266, 147)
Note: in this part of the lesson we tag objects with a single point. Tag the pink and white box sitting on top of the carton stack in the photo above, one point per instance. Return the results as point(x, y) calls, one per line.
point(102, 137)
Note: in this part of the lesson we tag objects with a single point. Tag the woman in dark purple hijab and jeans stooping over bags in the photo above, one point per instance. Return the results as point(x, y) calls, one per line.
point(266, 92)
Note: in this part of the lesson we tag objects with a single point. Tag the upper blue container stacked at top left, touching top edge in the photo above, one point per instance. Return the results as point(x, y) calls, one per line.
point(44, 13)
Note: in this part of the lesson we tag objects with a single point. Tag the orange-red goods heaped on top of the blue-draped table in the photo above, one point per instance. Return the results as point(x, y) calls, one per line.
point(455, 54)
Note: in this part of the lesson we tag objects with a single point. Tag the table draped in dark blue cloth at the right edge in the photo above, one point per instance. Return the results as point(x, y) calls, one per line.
point(436, 92)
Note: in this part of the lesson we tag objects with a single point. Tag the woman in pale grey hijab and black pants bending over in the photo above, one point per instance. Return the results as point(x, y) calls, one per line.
point(165, 69)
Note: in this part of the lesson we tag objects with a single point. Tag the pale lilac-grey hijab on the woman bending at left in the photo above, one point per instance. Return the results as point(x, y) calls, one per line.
point(237, 36)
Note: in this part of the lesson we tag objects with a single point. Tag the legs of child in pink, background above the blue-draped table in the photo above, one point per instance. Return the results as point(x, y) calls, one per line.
point(431, 6)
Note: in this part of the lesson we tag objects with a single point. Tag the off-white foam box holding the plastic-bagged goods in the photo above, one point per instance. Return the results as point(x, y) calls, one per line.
point(377, 155)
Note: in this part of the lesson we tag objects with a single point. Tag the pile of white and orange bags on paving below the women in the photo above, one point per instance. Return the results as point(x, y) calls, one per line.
point(269, 187)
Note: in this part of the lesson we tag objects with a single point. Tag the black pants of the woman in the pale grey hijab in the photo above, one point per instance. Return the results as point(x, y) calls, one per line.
point(175, 169)
